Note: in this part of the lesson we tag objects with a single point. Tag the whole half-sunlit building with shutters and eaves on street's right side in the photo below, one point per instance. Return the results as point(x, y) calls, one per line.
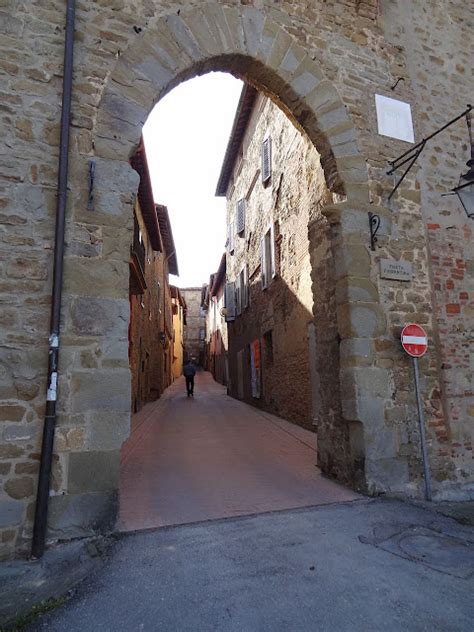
point(275, 187)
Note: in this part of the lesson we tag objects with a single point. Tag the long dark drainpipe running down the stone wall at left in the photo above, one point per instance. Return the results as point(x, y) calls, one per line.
point(41, 514)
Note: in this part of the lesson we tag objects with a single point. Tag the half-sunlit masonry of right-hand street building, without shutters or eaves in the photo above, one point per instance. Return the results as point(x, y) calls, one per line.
point(284, 310)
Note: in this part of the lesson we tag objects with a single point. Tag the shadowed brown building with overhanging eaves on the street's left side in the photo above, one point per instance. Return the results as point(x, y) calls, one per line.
point(152, 257)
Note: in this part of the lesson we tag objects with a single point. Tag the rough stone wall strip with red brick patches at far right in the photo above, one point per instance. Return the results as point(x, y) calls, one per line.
point(439, 49)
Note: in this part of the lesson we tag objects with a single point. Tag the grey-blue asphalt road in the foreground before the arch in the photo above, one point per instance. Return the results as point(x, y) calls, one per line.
point(361, 566)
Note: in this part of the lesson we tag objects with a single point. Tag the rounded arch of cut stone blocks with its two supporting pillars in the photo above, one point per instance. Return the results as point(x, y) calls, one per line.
point(172, 49)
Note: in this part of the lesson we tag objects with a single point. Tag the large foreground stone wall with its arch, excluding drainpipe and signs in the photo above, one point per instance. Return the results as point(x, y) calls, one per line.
point(322, 62)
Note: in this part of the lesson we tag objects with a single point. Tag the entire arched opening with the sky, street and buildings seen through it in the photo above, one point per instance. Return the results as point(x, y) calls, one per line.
point(189, 460)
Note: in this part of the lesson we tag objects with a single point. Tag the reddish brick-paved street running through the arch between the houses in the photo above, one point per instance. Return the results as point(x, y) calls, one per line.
point(210, 457)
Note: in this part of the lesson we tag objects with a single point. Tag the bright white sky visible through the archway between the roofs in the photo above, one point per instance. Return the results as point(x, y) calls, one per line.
point(185, 138)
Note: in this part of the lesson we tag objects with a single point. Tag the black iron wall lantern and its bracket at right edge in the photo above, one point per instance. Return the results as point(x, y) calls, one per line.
point(465, 187)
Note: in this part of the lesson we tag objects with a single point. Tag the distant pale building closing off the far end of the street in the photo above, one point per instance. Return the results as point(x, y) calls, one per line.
point(195, 328)
